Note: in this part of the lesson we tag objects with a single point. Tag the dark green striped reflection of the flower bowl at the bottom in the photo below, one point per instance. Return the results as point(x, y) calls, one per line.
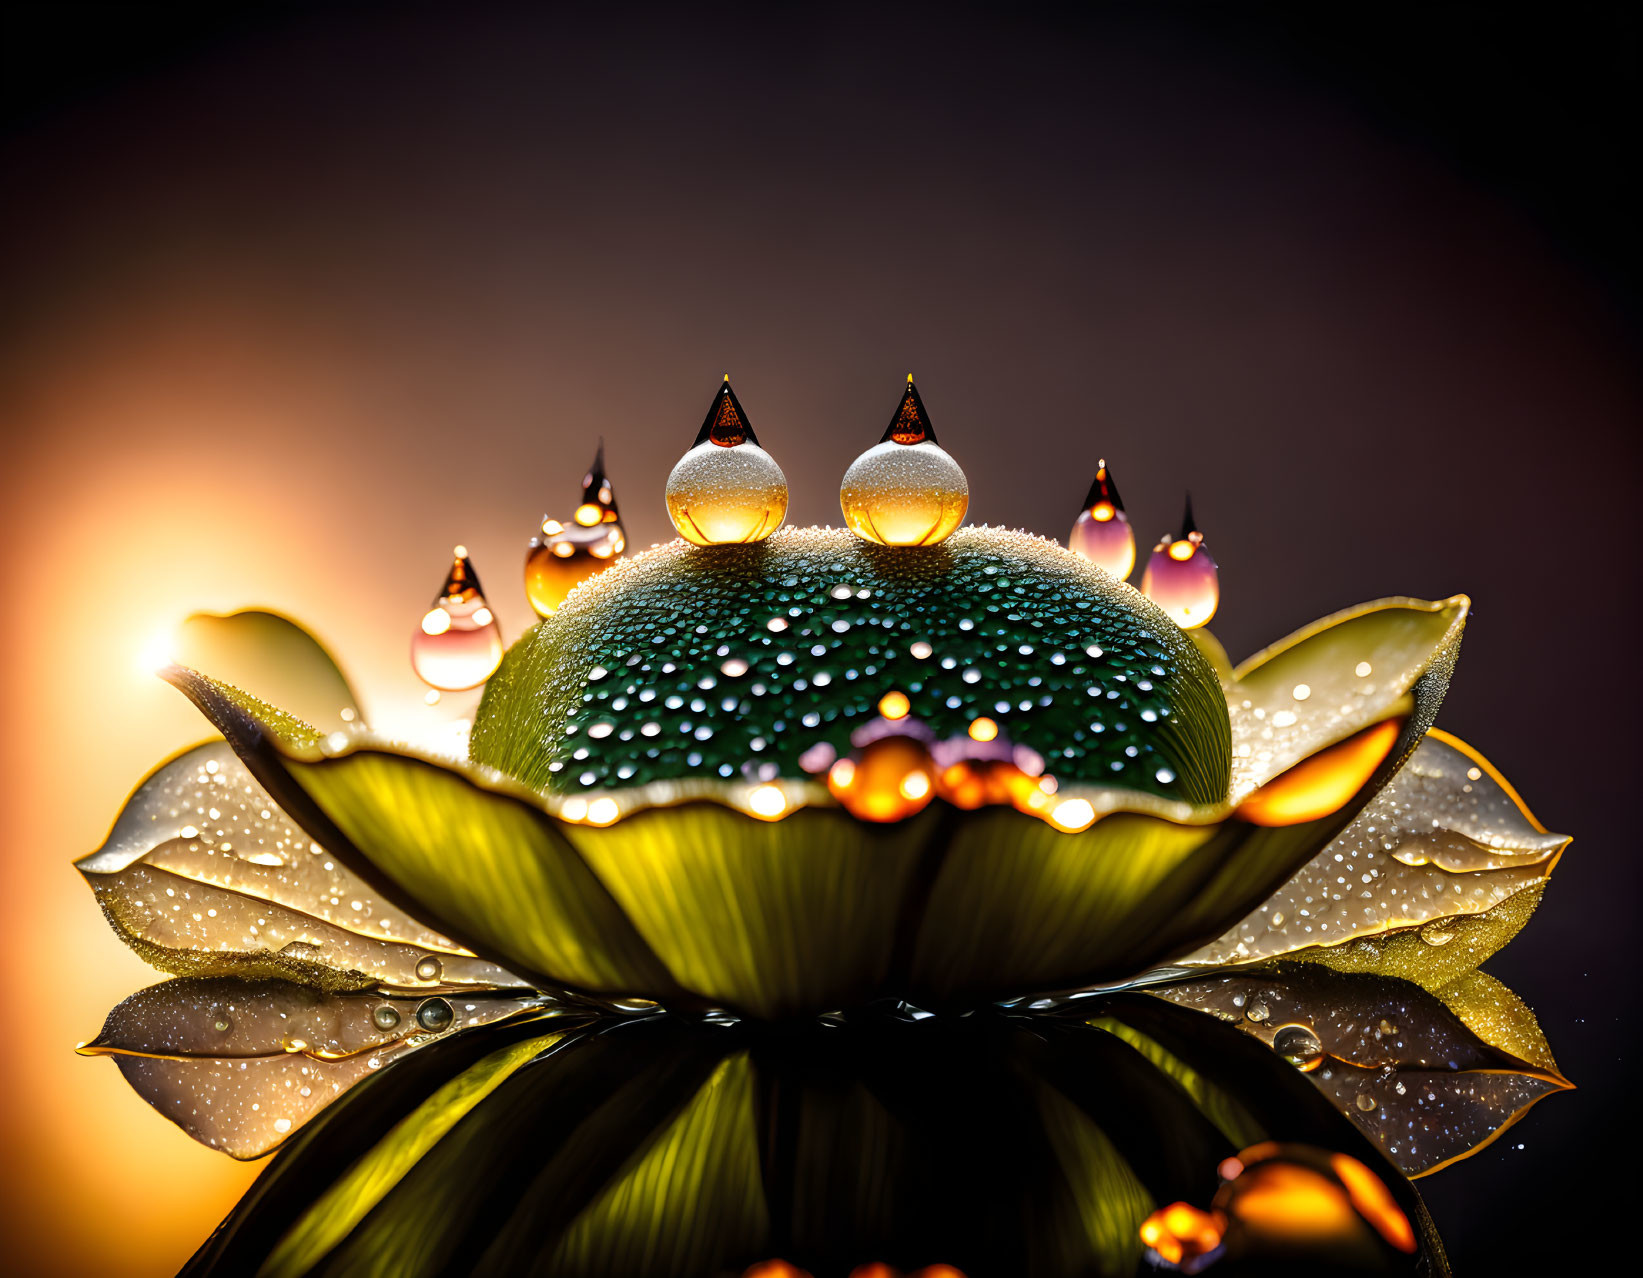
point(996, 1146)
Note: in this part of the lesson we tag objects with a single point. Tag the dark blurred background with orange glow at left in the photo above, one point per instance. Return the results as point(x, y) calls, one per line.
point(297, 297)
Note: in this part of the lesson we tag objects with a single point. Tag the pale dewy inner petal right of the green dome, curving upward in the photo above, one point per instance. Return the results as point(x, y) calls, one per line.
point(1333, 679)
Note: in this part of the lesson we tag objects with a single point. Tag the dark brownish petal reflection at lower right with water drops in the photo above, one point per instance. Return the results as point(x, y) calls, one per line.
point(1397, 1060)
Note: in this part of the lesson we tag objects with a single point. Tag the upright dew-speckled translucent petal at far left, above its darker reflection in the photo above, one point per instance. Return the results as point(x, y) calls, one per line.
point(206, 875)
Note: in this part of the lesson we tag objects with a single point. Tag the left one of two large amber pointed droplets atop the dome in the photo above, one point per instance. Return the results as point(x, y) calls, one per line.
point(727, 489)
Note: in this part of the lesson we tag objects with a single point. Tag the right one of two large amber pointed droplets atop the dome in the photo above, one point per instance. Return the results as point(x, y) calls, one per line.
point(906, 490)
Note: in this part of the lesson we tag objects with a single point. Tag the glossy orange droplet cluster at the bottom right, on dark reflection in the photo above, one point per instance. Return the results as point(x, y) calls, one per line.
point(1281, 1200)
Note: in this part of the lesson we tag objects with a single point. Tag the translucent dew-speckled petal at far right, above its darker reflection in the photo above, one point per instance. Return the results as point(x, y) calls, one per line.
point(1443, 844)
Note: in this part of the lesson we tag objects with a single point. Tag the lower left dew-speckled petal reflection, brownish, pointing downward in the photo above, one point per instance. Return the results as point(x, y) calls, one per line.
point(241, 1065)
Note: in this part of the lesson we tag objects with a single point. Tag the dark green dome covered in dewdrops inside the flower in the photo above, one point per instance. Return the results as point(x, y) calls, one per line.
point(735, 661)
